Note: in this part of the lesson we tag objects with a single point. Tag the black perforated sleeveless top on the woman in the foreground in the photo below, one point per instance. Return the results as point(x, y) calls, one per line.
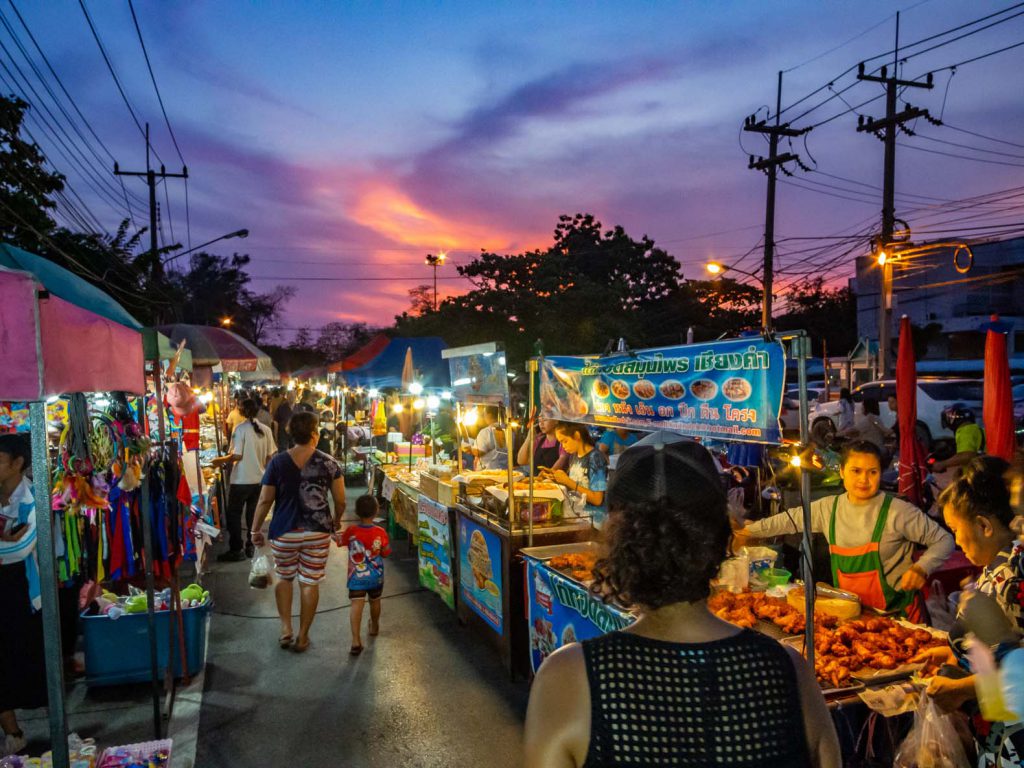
point(728, 703)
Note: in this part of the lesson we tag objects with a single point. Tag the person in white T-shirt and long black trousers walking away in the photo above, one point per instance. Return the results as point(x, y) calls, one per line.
point(252, 447)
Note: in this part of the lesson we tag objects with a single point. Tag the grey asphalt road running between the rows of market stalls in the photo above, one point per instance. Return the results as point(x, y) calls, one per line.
point(425, 693)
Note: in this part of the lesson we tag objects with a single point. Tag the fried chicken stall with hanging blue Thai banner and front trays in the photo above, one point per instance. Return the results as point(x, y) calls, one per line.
point(726, 391)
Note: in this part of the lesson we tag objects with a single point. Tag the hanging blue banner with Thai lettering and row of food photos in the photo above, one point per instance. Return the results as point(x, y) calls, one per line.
point(729, 391)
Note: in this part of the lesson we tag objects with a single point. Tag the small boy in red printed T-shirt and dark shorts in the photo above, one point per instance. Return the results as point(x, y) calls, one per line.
point(368, 546)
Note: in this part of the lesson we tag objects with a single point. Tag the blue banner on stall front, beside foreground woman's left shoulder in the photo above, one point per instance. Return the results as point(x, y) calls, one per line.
point(563, 612)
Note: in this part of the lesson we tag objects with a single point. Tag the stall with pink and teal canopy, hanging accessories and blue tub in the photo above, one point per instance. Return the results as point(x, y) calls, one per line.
point(109, 515)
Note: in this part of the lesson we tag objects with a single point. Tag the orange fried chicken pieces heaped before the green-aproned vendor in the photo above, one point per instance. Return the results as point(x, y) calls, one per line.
point(841, 651)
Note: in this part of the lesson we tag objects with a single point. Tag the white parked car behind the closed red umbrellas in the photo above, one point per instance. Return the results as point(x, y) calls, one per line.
point(934, 395)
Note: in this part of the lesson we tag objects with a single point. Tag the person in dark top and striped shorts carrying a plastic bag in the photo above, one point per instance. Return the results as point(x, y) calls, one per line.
point(301, 485)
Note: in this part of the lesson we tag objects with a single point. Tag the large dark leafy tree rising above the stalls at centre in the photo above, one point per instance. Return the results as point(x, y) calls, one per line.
point(591, 286)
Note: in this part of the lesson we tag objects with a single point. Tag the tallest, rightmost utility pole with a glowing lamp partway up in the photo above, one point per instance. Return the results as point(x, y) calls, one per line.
point(886, 130)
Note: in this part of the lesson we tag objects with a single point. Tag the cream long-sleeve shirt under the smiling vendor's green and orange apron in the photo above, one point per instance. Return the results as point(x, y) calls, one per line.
point(906, 527)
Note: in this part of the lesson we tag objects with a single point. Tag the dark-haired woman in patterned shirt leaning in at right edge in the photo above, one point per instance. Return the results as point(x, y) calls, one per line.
point(977, 509)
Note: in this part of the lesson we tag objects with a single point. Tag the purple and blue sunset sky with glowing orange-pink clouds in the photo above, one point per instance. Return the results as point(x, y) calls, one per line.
point(354, 139)
